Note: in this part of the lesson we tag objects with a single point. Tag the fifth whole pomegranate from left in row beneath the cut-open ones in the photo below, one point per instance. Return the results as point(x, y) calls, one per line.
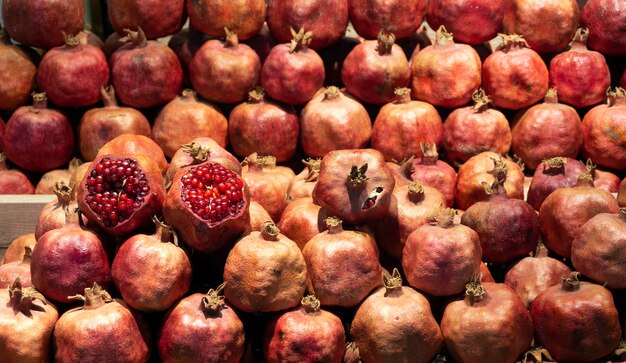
point(440, 259)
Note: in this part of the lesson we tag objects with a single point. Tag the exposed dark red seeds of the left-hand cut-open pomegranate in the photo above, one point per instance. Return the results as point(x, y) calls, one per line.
point(117, 187)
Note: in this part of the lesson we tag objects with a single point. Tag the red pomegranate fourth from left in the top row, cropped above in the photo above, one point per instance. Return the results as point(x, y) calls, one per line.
point(327, 19)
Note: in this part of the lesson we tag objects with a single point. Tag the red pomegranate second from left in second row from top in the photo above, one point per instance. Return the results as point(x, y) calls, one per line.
point(62, 73)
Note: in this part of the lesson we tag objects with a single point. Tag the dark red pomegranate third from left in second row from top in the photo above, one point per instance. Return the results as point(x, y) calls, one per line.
point(160, 73)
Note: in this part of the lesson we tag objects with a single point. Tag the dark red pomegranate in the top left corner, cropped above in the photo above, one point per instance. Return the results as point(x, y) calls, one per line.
point(42, 31)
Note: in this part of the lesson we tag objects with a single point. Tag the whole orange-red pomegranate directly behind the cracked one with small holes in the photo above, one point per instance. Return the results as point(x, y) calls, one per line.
point(333, 120)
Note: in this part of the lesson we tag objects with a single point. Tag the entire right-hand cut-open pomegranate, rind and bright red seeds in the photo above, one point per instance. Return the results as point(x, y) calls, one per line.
point(208, 204)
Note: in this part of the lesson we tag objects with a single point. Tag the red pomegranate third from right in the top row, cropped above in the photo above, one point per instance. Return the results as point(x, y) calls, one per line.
point(472, 22)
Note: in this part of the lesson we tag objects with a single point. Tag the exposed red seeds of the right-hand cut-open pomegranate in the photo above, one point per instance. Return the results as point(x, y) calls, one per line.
point(213, 192)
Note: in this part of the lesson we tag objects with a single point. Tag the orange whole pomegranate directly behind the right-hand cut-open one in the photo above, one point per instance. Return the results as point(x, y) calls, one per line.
point(200, 119)
